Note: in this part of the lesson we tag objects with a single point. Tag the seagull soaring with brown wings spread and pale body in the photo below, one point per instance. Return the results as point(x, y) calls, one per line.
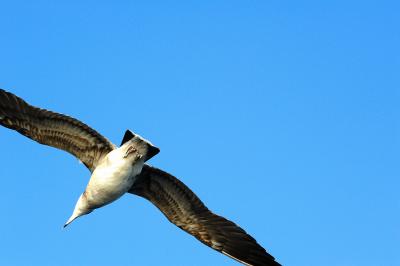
point(119, 170)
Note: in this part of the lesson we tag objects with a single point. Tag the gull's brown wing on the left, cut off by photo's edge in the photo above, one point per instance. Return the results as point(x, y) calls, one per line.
point(53, 129)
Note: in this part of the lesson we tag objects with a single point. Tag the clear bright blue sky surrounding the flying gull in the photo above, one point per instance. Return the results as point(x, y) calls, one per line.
point(281, 116)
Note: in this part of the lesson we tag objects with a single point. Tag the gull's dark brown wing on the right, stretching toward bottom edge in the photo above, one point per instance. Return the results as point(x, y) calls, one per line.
point(183, 208)
